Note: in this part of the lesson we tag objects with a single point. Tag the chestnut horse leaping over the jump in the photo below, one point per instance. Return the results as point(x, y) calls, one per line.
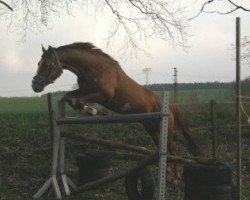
point(102, 80)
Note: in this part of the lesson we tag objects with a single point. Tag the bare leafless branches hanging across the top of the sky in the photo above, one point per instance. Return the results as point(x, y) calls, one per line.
point(136, 20)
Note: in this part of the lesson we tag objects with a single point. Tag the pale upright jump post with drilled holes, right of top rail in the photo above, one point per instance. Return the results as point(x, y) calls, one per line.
point(163, 148)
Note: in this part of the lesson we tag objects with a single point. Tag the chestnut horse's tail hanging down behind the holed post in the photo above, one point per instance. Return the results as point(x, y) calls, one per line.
point(193, 147)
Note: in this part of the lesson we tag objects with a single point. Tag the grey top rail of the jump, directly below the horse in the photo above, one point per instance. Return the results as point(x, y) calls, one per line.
point(129, 118)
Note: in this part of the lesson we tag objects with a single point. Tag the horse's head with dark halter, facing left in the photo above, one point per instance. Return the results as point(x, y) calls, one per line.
point(49, 69)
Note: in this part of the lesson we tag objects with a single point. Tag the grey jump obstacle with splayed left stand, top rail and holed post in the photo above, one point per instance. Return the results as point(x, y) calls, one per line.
point(58, 154)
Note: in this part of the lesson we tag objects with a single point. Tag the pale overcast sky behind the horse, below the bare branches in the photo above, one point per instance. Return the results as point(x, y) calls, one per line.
point(208, 58)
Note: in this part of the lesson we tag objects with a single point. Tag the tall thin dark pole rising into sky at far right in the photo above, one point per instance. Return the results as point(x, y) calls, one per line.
point(238, 110)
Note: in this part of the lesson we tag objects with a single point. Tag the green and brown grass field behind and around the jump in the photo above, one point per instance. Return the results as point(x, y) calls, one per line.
point(24, 138)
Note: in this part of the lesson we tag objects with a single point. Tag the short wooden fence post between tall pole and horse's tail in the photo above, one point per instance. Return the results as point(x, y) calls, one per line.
point(213, 132)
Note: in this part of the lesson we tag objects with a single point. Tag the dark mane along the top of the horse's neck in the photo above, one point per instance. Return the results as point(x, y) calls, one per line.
point(85, 46)
